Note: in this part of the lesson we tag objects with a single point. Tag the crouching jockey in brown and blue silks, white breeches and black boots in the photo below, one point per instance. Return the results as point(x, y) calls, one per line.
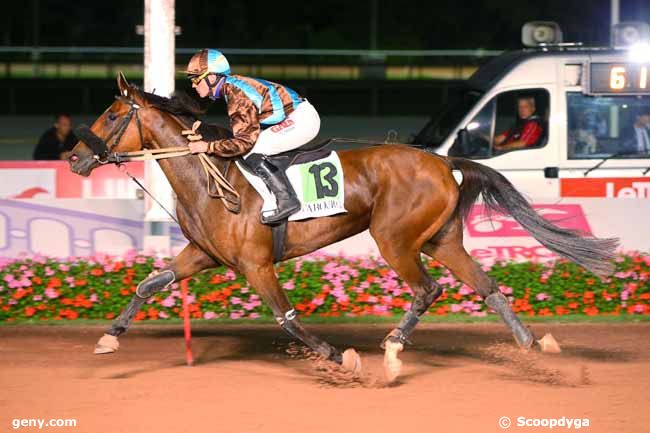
point(266, 119)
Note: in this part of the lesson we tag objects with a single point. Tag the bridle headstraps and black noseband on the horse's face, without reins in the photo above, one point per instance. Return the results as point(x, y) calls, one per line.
point(102, 152)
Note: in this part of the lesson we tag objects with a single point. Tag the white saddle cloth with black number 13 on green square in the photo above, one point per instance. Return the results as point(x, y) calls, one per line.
point(318, 184)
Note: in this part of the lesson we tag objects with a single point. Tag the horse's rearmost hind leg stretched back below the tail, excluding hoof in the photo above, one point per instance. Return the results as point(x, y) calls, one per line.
point(448, 249)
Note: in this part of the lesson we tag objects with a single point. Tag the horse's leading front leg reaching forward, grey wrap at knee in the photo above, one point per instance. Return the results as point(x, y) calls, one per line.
point(190, 261)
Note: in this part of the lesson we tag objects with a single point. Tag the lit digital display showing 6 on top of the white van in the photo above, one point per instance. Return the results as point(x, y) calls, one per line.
point(619, 78)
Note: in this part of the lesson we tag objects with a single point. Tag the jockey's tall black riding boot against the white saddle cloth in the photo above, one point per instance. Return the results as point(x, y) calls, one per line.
point(276, 180)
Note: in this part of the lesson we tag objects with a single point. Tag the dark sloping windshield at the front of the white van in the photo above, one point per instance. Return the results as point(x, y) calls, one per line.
point(439, 127)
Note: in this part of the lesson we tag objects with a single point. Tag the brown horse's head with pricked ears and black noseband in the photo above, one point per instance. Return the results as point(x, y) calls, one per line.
point(118, 129)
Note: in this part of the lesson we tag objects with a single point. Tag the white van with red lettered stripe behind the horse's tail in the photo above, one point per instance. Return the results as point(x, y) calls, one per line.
point(589, 135)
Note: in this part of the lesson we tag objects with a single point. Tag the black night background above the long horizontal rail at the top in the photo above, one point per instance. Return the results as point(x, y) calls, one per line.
point(415, 24)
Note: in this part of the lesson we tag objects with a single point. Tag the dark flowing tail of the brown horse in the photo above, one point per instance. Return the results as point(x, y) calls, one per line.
point(501, 196)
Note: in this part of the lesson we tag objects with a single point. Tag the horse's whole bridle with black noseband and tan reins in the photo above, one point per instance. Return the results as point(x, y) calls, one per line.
point(217, 184)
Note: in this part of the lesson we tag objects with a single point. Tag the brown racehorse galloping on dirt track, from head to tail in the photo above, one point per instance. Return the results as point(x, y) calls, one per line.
point(406, 197)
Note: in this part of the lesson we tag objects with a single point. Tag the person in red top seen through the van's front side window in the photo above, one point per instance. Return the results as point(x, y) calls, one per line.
point(527, 131)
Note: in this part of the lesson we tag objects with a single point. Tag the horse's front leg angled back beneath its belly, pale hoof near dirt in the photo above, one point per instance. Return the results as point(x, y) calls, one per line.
point(265, 282)
